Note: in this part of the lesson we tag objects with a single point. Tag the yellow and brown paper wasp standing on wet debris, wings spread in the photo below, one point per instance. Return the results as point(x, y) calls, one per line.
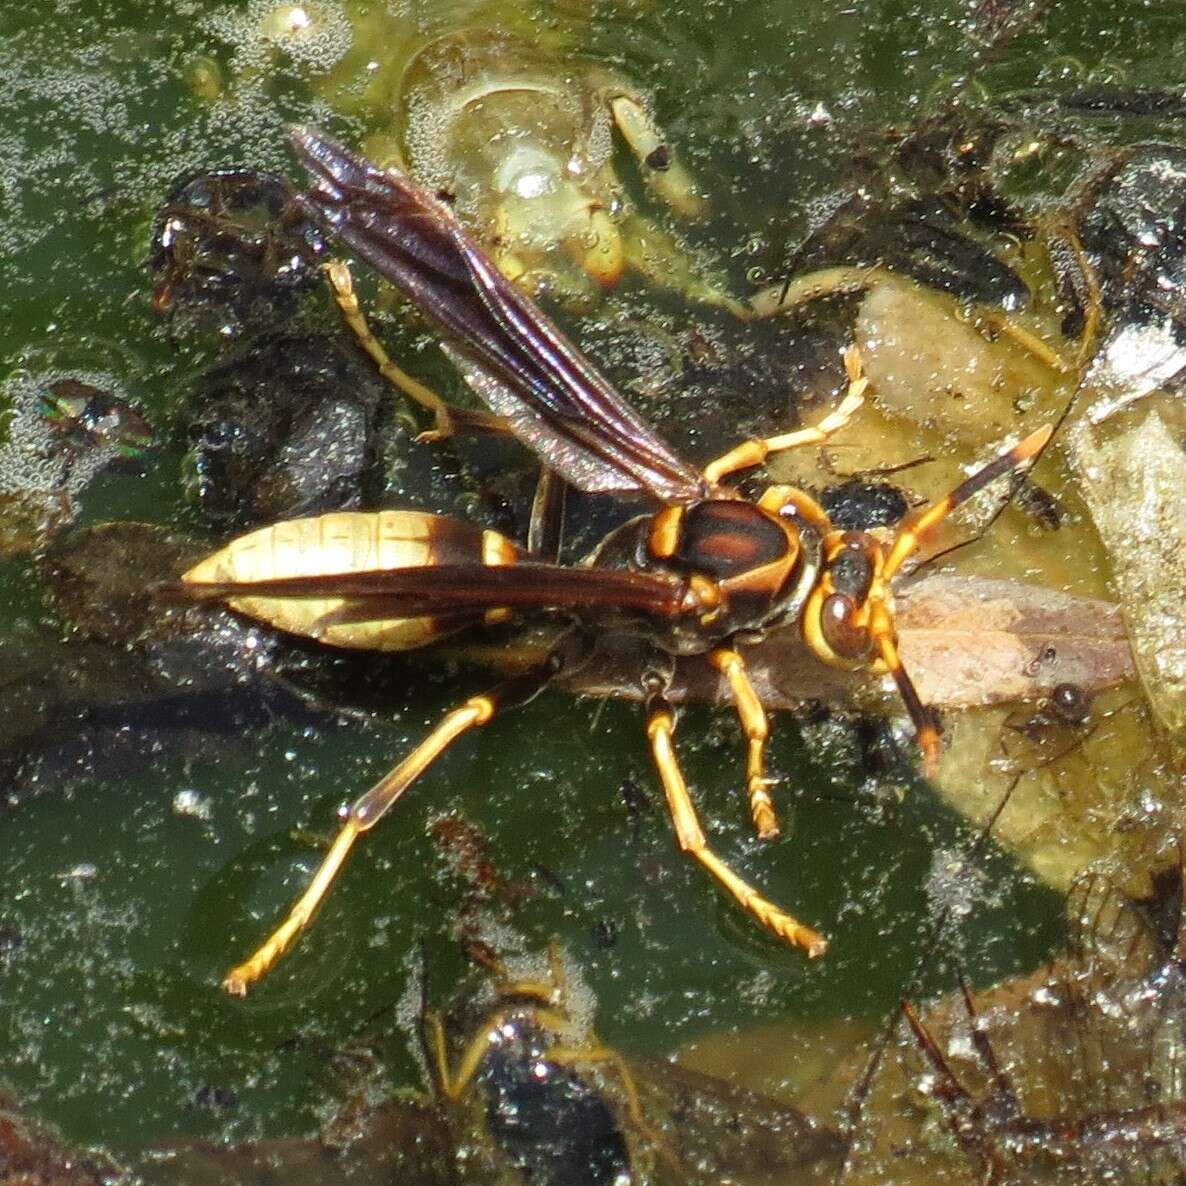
point(709, 573)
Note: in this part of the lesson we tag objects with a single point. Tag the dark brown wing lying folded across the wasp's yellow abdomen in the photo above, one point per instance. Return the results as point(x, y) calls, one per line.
point(441, 590)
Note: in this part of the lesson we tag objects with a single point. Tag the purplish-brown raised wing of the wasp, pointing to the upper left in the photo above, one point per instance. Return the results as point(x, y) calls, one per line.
point(514, 356)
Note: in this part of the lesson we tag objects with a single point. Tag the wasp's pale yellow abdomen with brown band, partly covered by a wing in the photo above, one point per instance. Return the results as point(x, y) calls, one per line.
point(349, 543)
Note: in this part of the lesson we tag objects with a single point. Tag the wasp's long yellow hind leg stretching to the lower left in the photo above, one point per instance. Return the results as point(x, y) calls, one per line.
point(375, 804)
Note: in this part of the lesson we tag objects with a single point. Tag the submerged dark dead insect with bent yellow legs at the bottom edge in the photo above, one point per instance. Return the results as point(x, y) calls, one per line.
point(526, 1082)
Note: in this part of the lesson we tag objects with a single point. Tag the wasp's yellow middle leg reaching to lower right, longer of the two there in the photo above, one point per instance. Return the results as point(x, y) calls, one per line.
point(661, 732)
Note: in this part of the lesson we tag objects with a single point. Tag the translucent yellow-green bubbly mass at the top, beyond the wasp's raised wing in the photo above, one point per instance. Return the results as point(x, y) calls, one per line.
point(501, 114)
